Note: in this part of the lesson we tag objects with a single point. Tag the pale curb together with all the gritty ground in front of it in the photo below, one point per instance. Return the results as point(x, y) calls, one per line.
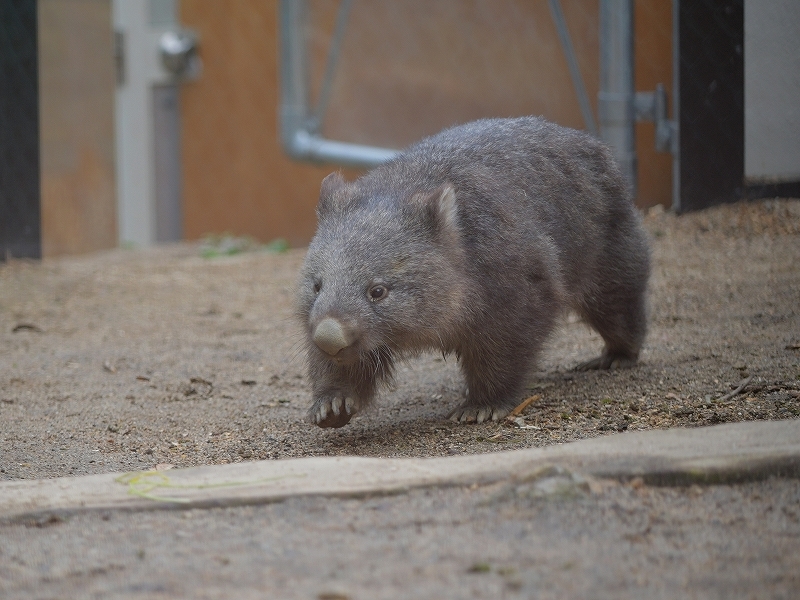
point(600, 518)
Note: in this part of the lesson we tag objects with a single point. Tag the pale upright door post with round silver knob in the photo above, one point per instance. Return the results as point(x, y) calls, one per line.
point(154, 55)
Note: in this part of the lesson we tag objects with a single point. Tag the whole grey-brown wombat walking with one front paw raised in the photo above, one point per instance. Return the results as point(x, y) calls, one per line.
point(473, 241)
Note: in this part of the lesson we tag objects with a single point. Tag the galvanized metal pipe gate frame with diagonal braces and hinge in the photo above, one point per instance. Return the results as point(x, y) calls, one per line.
point(619, 106)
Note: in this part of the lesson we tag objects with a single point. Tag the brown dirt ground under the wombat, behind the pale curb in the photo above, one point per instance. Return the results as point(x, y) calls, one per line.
point(129, 359)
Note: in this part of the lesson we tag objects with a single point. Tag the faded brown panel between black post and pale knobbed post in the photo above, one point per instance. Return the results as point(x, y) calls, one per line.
point(76, 89)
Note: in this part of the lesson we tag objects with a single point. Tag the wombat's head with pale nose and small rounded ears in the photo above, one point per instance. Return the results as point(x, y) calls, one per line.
point(381, 276)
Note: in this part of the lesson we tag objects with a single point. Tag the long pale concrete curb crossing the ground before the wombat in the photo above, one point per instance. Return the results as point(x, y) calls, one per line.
point(720, 454)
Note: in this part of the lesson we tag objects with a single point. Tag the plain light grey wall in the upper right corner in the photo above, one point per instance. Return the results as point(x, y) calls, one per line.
point(772, 90)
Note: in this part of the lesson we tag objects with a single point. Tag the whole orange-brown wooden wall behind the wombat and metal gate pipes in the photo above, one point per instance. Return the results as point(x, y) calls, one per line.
point(407, 70)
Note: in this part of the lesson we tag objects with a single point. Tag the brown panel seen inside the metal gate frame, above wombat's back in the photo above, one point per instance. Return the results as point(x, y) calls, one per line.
point(411, 68)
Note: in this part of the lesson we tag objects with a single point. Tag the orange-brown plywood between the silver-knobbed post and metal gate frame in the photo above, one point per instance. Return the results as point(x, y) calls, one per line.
point(236, 177)
